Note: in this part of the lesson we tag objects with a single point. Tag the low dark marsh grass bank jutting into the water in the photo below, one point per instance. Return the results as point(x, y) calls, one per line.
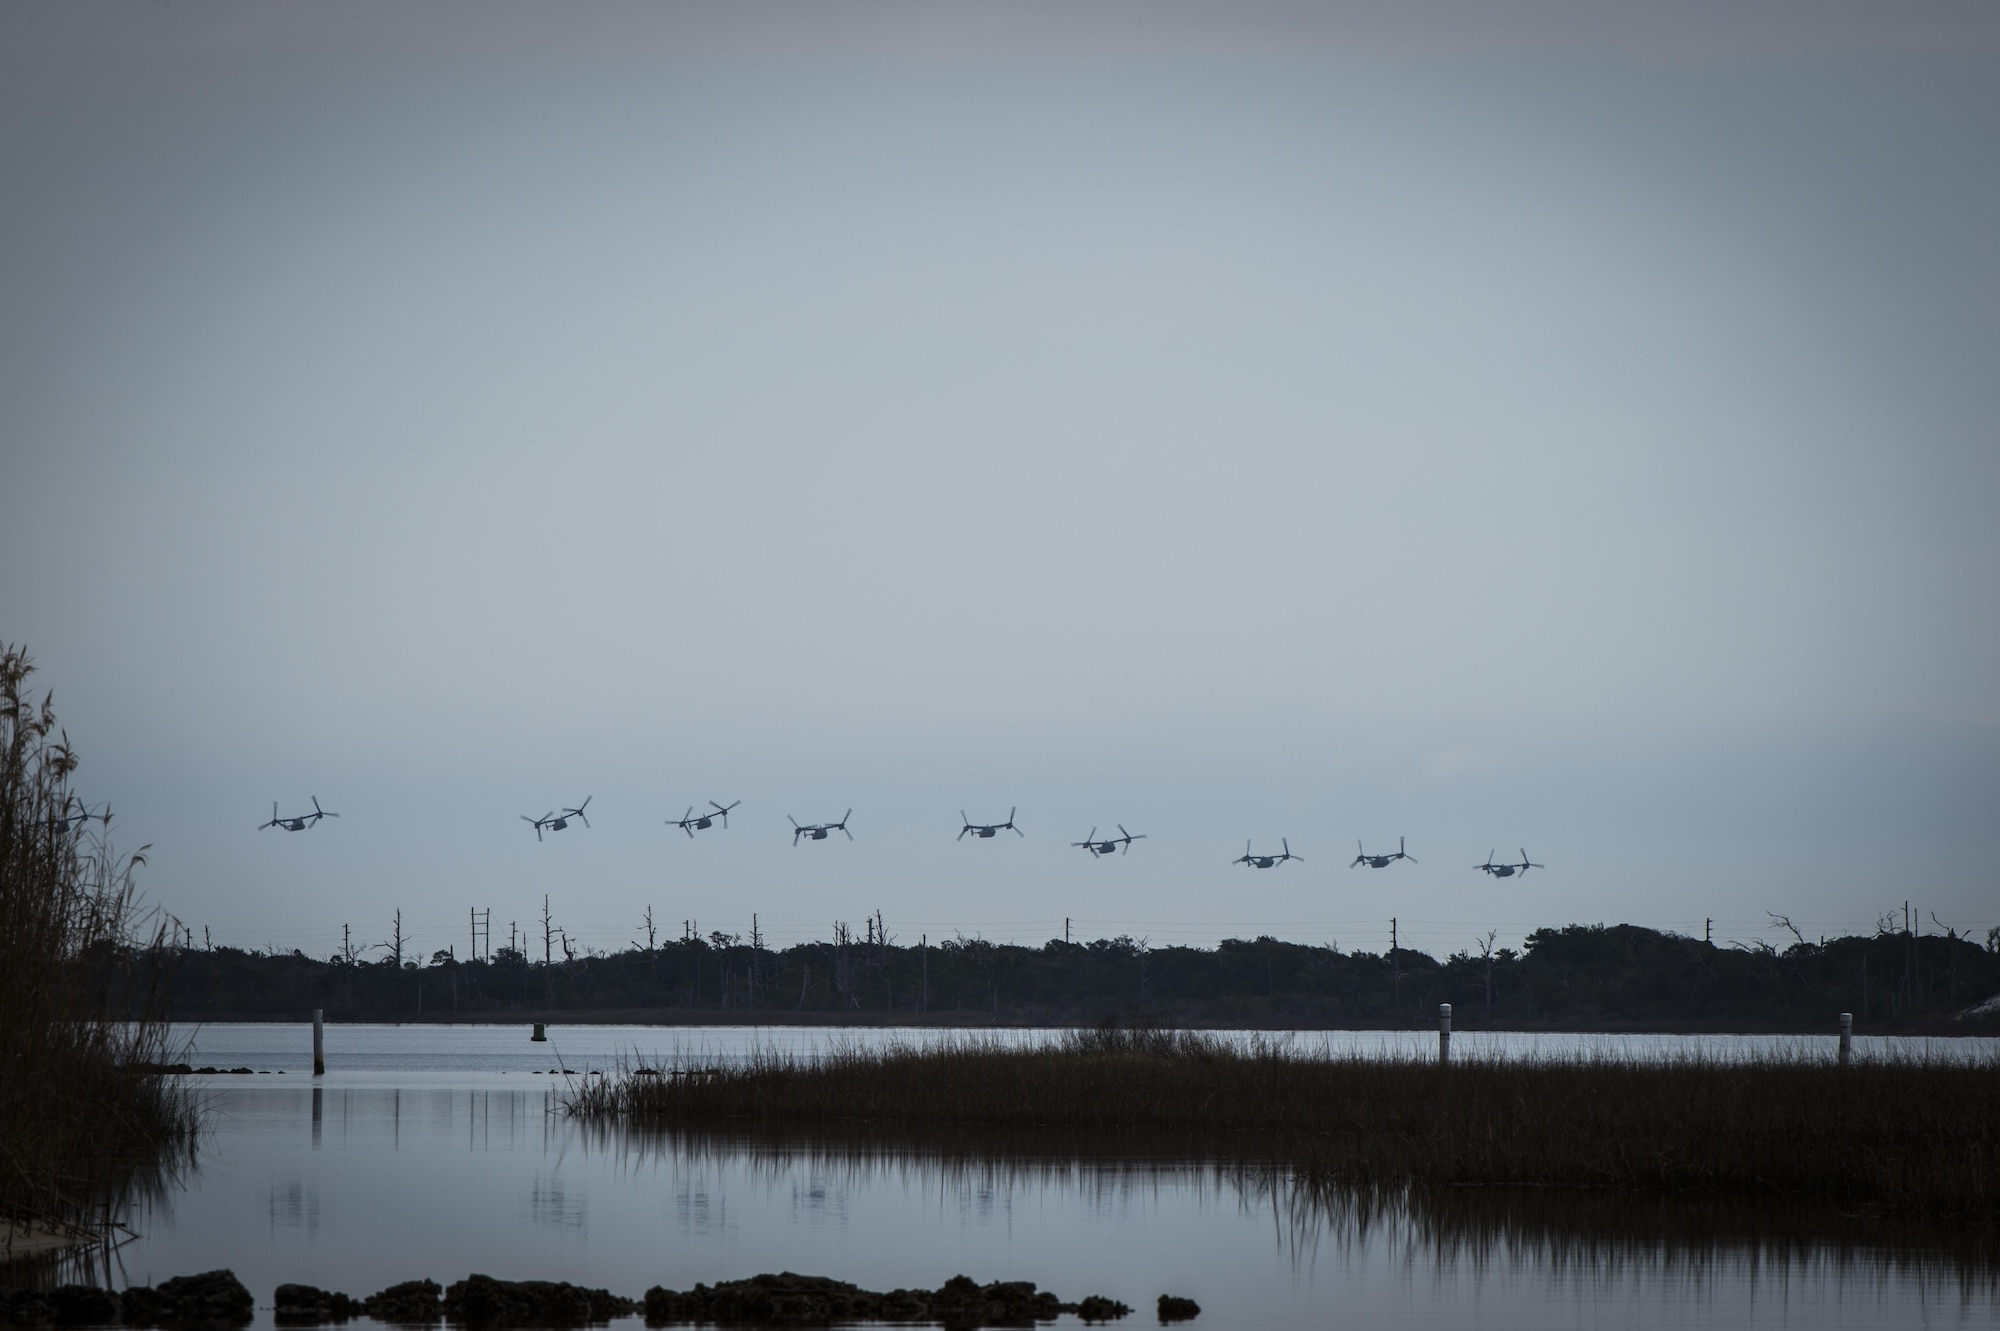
point(1915, 1136)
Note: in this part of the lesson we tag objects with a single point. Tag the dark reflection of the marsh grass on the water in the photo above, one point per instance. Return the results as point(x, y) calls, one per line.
point(1563, 1236)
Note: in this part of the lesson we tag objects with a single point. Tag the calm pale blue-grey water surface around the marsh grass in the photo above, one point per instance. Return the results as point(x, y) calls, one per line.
point(435, 1152)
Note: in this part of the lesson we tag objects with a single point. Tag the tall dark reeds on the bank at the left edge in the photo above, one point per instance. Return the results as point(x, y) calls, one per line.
point(85, 1122)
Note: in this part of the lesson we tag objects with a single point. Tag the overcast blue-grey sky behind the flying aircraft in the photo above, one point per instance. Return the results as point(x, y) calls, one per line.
point(1543, 425)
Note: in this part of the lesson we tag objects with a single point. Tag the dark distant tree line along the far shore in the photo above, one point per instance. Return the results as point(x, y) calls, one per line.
point(1905, 978)
